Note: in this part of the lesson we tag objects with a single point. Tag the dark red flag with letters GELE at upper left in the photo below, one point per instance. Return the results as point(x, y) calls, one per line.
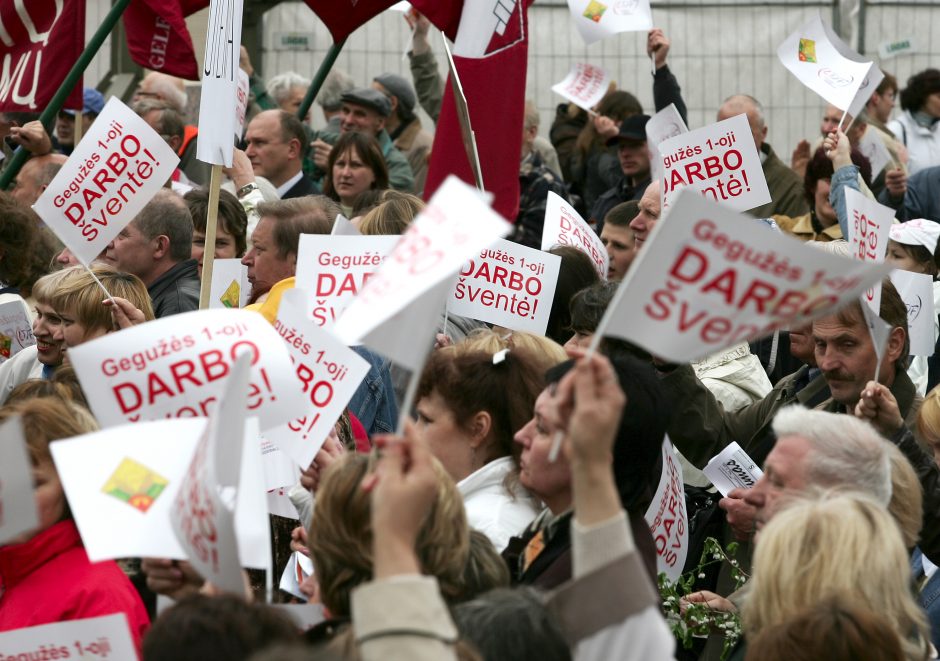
point(157, 37)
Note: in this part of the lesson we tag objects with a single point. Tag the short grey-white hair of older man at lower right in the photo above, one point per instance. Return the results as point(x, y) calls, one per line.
point(846, 452)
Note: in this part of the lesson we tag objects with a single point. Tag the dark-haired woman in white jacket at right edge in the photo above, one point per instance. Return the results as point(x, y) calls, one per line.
point(916, 127)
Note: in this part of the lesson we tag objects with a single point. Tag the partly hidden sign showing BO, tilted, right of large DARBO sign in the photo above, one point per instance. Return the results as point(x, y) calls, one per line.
point(328, 371)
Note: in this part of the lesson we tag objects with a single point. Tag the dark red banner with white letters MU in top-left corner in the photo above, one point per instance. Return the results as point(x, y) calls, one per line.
point(39, 42)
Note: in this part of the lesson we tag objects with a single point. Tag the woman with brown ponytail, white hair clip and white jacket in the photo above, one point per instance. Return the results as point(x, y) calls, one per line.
point(470, 403)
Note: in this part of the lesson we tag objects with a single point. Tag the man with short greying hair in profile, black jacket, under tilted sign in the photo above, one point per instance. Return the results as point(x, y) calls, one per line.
point(156, 247)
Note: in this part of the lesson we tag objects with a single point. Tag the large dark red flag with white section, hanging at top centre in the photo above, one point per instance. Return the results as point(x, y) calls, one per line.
point(490, 55)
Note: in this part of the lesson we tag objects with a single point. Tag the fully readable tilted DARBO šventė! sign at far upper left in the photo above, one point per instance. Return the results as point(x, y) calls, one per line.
point(117, 167)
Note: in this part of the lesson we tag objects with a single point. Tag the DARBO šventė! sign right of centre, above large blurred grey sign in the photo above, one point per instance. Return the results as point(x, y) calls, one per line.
point(718, 160)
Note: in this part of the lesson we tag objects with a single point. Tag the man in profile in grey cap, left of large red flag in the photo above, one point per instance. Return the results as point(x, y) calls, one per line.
point(404, 126)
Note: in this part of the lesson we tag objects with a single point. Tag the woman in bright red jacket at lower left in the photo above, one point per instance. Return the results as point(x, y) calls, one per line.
point(45, 575)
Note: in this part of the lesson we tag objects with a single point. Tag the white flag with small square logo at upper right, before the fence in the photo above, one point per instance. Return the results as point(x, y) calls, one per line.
point(822, 62)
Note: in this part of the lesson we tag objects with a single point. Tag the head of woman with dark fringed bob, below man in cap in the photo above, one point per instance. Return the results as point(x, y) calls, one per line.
point(355, 165)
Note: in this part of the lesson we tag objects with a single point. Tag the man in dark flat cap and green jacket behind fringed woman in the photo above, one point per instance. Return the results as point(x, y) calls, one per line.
point(367, 110)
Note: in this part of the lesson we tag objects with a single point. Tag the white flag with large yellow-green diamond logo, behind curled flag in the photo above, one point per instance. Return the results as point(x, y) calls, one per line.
point(150, 459)
